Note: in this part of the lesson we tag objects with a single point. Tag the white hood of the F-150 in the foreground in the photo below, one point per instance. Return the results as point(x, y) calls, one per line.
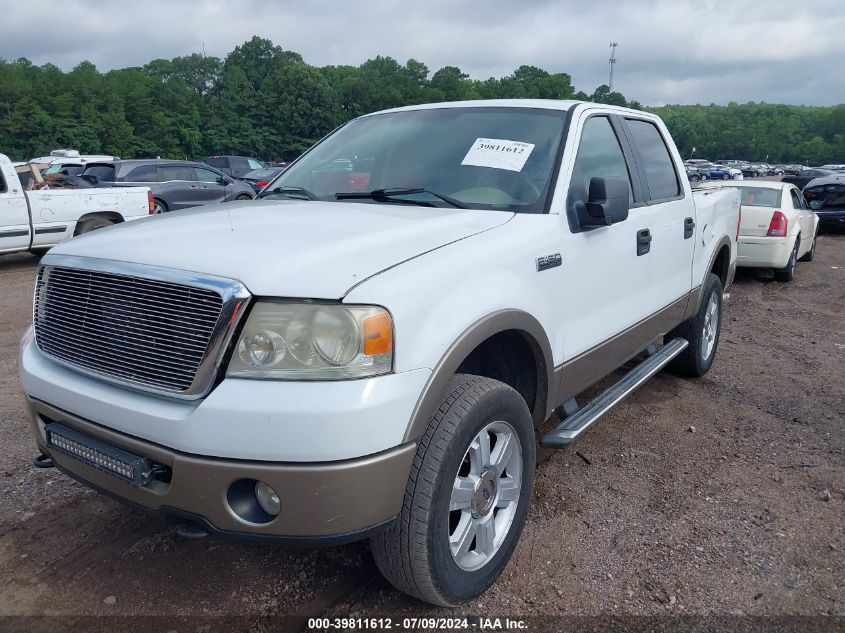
point(303, 249)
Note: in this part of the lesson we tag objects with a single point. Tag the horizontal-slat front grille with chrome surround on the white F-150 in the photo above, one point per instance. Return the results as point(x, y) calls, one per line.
point(148, 332)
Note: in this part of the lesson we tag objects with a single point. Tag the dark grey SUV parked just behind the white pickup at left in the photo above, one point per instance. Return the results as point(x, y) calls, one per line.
point(176, 184)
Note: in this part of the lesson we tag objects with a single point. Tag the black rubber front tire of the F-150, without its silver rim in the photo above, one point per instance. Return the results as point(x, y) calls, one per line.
point(414, 554)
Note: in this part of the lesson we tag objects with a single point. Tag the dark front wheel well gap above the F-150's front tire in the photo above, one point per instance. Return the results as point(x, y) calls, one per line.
point(515, 359)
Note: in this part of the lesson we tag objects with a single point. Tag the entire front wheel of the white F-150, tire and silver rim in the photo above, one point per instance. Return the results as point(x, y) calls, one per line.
point(467, 495)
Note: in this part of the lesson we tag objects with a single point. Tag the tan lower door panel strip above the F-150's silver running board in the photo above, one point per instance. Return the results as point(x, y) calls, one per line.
point(585, 370)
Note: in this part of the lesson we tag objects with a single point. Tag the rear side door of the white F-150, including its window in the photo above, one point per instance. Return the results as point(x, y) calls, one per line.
point(669, 215)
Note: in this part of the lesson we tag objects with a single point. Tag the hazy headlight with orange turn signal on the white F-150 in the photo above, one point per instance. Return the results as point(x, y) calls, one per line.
point(287, 340)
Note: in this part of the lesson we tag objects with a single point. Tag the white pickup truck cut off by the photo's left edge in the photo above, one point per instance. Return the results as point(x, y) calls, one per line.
point(36, 219)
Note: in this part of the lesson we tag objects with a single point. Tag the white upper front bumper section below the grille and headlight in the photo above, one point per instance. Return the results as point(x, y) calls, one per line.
point(260, 420)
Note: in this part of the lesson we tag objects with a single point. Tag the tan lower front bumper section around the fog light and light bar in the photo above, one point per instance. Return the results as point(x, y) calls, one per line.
point(327, 499)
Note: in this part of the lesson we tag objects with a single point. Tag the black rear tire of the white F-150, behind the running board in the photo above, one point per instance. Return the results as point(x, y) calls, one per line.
point(694, 361)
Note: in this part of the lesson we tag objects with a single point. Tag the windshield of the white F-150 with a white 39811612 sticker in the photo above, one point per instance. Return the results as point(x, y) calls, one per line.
point(483, 158)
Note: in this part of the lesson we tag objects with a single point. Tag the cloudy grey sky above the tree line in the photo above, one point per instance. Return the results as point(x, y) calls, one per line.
point(676, 51)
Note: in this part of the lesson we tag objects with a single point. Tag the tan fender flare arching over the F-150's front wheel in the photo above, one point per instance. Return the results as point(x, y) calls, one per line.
point(471, 338)
